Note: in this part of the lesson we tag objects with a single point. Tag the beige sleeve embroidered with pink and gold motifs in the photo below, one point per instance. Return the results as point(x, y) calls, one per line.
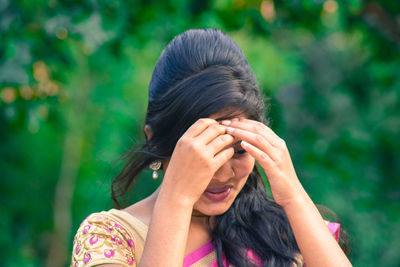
point(99, 240)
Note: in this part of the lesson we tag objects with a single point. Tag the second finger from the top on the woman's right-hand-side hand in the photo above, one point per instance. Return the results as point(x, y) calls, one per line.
point(256, 140)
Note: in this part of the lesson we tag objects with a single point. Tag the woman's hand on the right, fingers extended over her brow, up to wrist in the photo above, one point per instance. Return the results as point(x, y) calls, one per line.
point(273, 156)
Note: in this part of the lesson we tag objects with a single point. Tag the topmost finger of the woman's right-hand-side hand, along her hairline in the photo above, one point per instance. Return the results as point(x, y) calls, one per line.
point(255, 127)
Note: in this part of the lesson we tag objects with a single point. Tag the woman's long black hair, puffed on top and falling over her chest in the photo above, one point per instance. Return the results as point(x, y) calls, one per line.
point(199, 73)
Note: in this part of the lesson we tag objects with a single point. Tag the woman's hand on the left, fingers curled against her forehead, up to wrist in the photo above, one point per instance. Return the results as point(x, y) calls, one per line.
point(198, 154)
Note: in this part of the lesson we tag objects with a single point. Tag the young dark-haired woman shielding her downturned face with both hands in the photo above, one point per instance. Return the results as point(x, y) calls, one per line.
point(205, 126)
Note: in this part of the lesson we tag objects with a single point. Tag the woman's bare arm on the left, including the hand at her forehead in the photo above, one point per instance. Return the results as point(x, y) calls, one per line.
point(200, 152)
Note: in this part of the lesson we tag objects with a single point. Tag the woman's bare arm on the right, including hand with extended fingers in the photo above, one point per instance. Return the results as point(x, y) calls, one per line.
point(316, 243)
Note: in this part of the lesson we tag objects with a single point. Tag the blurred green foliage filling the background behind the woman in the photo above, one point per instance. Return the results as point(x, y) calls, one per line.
point(74, 77)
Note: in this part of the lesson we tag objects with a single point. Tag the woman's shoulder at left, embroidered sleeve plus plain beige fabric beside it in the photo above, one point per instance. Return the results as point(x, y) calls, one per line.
point(108, 237)
